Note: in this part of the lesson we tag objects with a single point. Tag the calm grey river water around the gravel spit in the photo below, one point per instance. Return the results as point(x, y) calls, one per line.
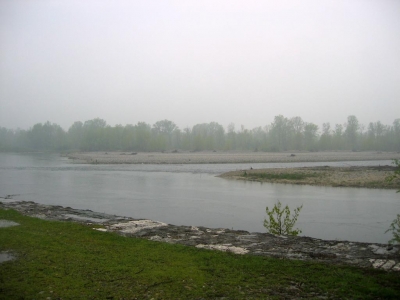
point(193, 195)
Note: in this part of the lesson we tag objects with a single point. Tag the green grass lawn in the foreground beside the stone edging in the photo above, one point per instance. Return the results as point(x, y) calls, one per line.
point(71, 261)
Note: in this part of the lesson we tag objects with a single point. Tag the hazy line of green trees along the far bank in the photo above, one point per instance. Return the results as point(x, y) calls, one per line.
point(283, 134)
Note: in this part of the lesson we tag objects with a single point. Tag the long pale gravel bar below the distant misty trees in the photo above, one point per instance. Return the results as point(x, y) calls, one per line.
point(224, 157)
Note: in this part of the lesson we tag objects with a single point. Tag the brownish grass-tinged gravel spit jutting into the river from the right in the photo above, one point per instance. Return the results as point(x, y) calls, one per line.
point(363, 177)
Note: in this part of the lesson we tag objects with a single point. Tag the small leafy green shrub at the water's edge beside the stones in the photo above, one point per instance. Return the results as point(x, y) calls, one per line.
point(279, 220)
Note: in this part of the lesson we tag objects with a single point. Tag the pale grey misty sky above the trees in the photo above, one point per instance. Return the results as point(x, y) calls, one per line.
point(198, 61)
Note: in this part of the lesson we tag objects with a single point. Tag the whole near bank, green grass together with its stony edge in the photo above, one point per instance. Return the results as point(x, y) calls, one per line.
point(48, 259)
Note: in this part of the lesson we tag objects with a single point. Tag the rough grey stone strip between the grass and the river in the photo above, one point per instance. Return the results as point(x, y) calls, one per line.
point(365, 255)
